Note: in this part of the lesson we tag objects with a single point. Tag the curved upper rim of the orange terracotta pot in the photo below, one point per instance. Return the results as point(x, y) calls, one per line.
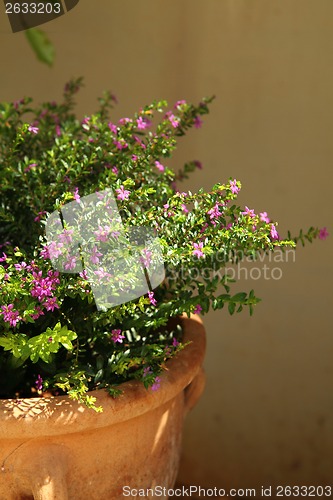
point(59, 414)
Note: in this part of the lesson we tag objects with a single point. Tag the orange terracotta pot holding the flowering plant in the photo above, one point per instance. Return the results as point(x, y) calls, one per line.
point(56, 449)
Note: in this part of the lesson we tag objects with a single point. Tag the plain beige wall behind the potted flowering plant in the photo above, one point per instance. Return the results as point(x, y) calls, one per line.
point(267, 413)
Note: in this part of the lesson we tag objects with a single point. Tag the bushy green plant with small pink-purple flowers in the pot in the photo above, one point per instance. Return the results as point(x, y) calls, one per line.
point(54, 334)
